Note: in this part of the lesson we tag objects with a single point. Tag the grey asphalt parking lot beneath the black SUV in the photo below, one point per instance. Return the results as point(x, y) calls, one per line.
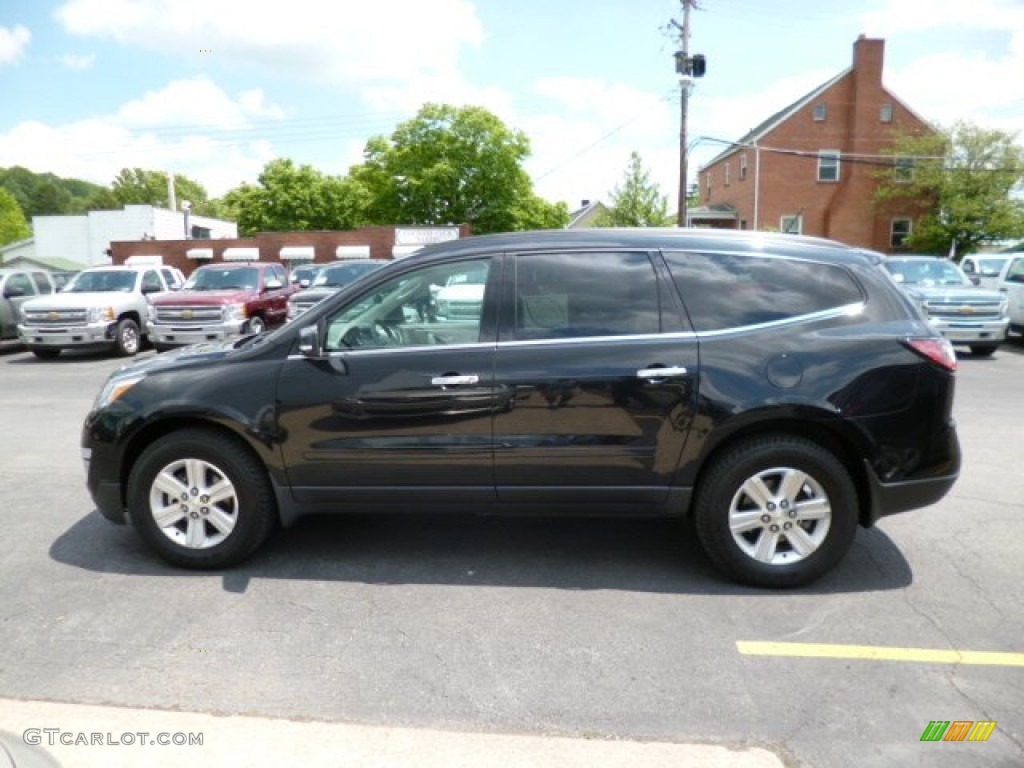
point(616, 630)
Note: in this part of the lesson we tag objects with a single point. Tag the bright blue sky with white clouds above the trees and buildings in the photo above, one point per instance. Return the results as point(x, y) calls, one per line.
point(215, 90)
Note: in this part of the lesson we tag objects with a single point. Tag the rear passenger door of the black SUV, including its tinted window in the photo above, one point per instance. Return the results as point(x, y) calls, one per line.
point(602, 367)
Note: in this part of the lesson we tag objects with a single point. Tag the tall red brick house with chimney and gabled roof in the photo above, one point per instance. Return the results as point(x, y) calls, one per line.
point(814, 167)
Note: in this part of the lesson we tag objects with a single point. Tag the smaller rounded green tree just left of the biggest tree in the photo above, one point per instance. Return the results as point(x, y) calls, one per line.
point(291, 198)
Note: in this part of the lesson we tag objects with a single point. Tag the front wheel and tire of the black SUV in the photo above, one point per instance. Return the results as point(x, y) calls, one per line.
point(198, 460)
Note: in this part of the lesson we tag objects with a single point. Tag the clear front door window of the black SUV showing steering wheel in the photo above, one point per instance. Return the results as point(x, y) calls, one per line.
point(440, 305)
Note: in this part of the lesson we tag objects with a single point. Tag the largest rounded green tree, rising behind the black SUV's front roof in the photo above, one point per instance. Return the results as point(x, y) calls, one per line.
point(454, 165)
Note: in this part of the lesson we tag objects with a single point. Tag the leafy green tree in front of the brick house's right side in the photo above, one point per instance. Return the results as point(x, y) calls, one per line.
point(966, 177)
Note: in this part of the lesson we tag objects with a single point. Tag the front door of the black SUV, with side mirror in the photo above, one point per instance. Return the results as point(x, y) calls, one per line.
point(398, 405)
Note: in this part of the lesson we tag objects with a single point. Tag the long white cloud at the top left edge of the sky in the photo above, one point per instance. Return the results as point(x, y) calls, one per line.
point(344, 42)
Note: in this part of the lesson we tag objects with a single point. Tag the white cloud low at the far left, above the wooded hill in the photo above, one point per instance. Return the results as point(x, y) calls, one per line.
point(191, 127)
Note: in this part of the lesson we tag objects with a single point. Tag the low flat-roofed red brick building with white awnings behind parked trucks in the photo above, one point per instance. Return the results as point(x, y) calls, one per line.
point(288, 248)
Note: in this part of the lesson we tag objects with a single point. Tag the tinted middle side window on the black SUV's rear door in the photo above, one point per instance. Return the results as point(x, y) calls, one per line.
point(575, 295)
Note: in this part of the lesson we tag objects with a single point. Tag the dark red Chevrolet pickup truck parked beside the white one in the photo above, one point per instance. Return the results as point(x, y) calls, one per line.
point(222, 302)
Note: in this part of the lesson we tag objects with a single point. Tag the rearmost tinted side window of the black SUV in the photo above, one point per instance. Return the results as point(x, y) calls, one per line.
point(724, 291)
